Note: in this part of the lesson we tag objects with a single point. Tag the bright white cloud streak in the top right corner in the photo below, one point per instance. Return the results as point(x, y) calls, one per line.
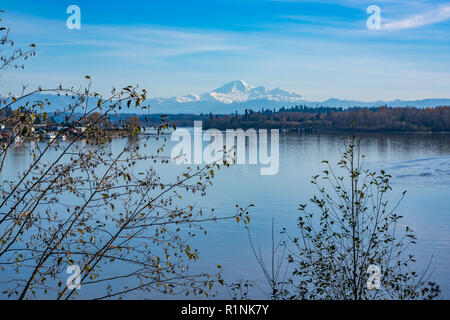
point(437, 15)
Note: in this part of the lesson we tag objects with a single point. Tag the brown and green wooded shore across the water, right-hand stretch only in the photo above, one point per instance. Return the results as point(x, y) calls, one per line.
point(338, 119)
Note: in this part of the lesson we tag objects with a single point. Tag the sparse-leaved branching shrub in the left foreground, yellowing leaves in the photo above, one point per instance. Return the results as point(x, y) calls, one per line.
point(109, 211)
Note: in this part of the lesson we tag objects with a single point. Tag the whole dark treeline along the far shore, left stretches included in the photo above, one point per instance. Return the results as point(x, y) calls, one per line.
point(299, 118)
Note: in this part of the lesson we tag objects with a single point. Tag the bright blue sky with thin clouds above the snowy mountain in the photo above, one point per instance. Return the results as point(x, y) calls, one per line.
point(319, 49)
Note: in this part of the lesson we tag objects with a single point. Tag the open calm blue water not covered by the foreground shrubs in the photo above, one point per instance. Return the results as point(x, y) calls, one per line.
point(419, 163)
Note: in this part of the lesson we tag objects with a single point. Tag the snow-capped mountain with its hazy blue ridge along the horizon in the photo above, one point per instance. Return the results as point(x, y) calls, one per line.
point(239, 95)
